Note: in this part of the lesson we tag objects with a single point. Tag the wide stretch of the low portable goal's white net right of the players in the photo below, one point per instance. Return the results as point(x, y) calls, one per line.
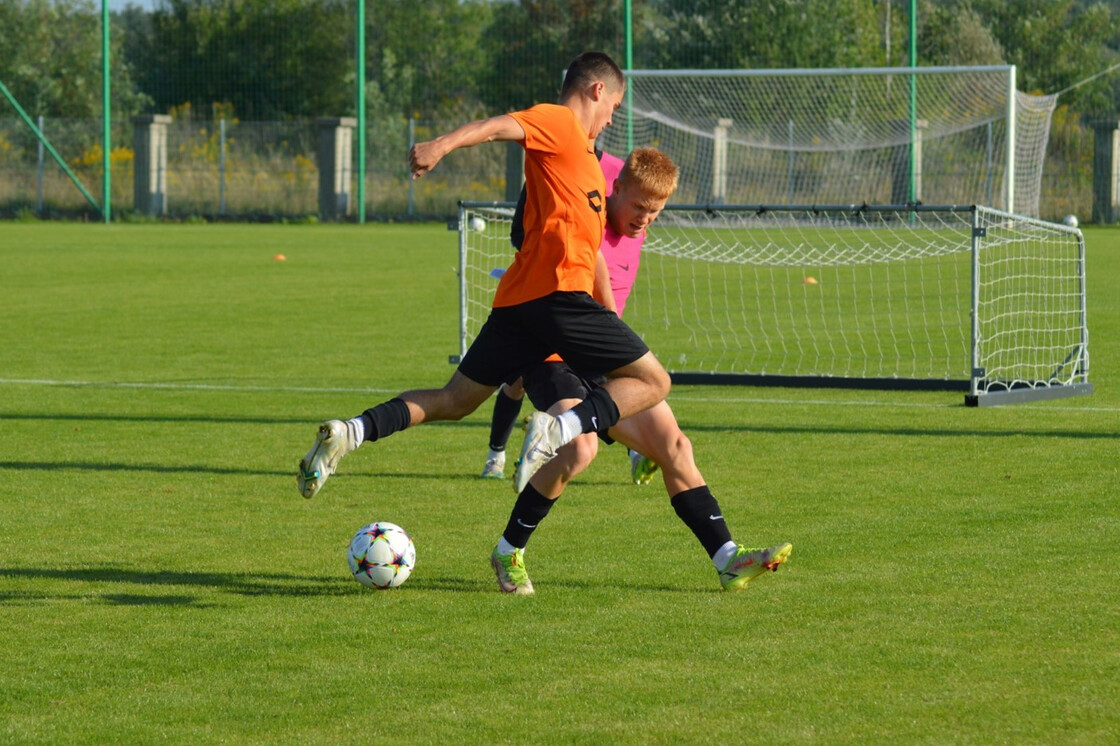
point(851, 294)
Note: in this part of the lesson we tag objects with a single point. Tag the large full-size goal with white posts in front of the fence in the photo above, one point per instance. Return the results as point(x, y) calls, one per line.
point(947, 136)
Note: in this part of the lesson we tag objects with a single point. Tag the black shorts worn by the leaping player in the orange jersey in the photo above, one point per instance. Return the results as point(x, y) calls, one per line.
point(591, 339)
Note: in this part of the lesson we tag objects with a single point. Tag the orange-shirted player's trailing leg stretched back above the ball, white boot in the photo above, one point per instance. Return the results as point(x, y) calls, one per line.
point(337, 439)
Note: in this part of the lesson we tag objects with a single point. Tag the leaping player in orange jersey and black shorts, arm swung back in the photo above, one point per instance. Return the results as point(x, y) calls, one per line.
point(544, 304)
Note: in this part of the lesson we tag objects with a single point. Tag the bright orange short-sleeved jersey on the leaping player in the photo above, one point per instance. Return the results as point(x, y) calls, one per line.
point(566, 209)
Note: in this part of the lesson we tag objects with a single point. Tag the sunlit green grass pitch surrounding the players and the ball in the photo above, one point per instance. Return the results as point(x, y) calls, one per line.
point(954, 577)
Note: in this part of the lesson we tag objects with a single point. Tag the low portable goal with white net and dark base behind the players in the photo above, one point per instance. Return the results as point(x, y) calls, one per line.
point(909, 297)
